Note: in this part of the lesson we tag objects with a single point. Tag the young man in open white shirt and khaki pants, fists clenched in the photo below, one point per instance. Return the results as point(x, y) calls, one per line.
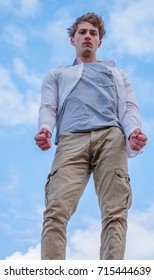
point(93, 107)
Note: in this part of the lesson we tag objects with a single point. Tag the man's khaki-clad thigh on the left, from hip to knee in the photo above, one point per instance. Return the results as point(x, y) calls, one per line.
point(69, 173)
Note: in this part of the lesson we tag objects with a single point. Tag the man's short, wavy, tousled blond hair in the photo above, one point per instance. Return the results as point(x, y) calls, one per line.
point(92, 18)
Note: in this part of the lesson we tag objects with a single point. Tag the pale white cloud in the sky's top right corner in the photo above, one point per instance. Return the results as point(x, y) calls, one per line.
point(131, 27)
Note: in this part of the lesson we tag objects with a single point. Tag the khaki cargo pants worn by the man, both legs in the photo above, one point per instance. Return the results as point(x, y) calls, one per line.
point(103, 154)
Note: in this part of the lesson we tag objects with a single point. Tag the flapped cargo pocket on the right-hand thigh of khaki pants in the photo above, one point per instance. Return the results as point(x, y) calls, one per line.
point(122, 190)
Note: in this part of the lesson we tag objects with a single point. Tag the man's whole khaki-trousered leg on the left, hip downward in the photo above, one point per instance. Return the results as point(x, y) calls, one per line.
point(66, 182)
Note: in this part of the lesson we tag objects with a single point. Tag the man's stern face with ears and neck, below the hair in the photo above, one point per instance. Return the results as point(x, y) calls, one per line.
point(86, 41)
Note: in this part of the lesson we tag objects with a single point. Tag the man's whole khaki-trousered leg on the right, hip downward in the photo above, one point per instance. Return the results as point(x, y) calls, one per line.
point(114, 193)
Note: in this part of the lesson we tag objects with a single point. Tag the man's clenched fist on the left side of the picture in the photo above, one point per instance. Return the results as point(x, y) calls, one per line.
point(42, 139)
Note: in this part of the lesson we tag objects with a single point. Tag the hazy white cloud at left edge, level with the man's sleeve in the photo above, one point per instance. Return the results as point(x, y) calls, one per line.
point(19, 106)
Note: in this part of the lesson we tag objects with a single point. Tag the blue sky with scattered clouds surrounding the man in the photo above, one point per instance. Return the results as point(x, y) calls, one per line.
point(33, 39)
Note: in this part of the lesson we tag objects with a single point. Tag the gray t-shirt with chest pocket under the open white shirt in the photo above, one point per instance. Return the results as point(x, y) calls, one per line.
point(92, 104)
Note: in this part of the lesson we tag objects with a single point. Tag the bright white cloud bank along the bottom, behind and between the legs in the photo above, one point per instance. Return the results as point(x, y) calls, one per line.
point(84, 243)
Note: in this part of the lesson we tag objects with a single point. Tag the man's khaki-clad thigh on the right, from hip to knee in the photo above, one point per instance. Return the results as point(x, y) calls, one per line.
point(111, 173)
